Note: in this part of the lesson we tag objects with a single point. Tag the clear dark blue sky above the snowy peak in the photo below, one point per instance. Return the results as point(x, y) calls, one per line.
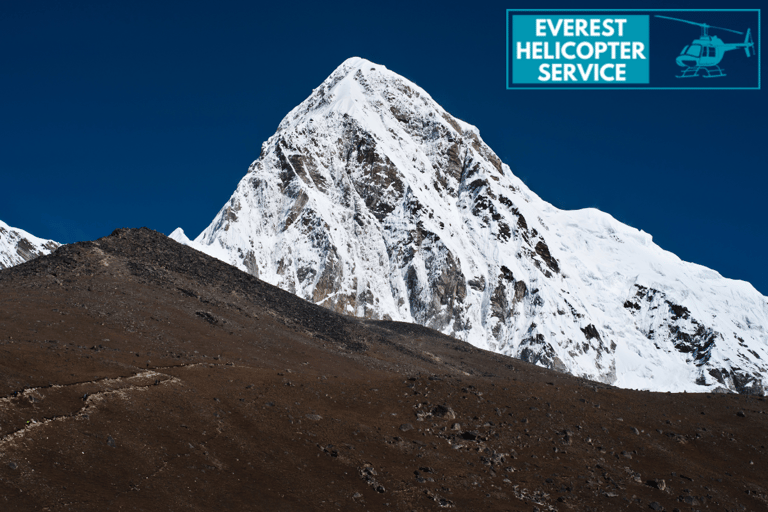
point(127, 114)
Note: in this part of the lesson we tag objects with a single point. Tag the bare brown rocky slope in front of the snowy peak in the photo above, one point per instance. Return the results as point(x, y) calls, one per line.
point(139, 374)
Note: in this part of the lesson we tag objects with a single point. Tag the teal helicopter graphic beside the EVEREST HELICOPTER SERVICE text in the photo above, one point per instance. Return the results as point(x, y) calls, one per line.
point(705, 53)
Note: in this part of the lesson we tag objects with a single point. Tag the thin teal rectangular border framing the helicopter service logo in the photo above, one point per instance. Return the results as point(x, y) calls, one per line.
point(635, 88)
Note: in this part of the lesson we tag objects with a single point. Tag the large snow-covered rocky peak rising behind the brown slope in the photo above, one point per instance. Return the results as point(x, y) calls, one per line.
point(372, 200)
